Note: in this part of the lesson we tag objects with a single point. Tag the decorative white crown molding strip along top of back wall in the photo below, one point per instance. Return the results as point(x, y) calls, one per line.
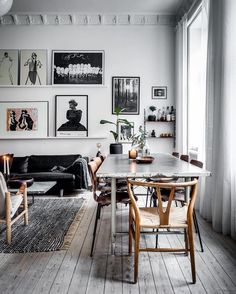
point(87, 19)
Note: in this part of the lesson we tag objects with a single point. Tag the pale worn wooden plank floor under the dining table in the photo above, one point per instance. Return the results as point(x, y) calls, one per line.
point(73, 271)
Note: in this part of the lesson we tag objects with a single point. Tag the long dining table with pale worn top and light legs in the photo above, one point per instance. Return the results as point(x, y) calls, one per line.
point(118, 166)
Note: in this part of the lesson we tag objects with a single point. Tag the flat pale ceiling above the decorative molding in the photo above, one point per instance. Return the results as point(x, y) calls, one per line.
point(98, 6)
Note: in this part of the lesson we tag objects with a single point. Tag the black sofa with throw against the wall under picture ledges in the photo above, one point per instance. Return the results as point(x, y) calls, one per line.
point(67, 170)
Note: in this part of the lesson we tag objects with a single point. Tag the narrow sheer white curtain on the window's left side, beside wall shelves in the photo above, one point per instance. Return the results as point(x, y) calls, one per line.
point(181, 88)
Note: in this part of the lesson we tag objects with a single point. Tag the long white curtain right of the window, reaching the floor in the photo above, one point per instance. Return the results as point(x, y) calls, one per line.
point(219, 200)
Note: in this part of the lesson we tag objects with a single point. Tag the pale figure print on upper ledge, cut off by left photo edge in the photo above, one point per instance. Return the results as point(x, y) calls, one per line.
point(9, 60)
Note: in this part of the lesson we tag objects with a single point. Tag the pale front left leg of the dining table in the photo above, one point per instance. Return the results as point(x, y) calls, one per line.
point(113, 215)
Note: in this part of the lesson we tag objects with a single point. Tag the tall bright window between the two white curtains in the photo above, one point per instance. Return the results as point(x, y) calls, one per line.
point(196, 98)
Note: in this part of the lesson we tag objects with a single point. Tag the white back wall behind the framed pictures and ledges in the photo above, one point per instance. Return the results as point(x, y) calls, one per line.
point(145, 51)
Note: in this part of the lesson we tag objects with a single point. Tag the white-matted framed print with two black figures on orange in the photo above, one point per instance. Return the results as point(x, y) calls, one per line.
point(24, 119)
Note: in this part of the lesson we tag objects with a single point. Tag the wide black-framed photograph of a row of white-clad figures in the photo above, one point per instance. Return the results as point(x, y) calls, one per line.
point(78, 67)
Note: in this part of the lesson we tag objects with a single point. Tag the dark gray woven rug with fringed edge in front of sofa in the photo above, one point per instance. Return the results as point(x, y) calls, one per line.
point(52, 225)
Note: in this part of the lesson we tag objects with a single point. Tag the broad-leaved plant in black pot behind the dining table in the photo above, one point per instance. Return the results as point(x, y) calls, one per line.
point(116, 148)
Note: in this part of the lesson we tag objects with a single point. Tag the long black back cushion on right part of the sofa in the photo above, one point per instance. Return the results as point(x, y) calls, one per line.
point(44, 163)
